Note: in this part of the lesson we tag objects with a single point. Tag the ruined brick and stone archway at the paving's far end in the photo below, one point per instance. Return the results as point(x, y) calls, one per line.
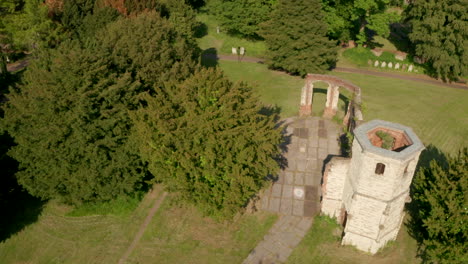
point(353, 113)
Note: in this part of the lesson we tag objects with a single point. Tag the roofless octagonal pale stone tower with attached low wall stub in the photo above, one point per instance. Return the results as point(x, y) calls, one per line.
point(367, 192)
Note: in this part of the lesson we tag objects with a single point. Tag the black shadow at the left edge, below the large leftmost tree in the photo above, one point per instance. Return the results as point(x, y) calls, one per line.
point(18, 208)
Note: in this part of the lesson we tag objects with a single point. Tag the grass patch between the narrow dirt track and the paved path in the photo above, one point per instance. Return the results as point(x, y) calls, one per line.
point(182, 235)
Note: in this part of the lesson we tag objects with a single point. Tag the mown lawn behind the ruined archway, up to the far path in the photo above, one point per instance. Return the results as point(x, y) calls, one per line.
point(437, 114)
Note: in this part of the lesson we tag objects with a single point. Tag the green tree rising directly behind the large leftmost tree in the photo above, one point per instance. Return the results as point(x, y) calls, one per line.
point(150, 47)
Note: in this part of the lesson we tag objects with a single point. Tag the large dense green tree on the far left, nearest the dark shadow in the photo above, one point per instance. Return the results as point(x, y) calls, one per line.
point(70, 124)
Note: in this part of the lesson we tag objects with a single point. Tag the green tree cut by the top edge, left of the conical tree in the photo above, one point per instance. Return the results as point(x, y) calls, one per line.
point(242, 17)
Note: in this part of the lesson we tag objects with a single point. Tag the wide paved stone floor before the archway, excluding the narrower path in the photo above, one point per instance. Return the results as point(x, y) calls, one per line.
point(309, 147)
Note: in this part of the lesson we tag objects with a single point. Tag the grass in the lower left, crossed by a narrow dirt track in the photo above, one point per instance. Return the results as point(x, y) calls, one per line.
point(175, 235)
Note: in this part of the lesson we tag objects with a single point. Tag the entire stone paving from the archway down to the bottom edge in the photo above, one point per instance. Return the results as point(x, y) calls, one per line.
point(295, 194)
